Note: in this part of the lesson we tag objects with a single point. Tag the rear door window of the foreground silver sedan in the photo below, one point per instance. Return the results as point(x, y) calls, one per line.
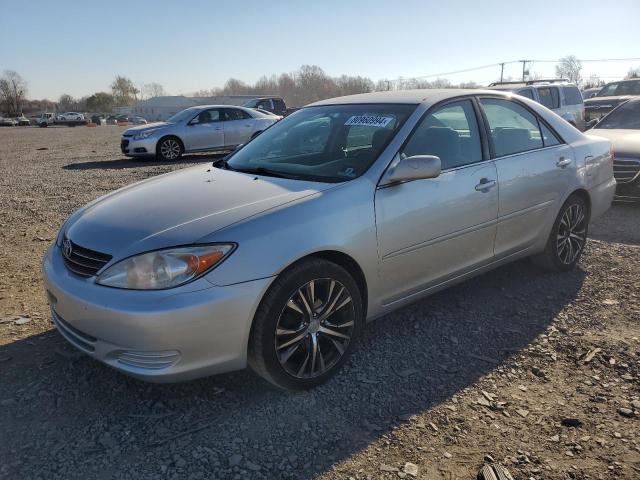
point(514, 129)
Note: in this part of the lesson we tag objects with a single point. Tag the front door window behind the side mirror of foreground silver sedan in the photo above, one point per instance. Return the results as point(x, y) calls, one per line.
point(449, 132)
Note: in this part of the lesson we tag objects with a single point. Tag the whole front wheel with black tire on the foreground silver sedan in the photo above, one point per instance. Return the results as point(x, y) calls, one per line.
point(275, 309)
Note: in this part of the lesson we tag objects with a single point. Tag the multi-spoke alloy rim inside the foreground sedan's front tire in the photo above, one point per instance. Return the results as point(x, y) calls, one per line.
point(314, 328)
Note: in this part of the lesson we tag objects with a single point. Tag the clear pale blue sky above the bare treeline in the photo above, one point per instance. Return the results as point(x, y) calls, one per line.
point(77, 47)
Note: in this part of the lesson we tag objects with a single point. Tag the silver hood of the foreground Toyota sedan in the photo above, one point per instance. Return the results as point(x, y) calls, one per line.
point(179, 208)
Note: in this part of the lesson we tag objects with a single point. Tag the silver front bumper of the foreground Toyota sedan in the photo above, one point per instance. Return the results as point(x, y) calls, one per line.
point(159, 336)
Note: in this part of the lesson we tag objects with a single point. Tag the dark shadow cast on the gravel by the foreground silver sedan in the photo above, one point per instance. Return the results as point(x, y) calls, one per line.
point(88, 421)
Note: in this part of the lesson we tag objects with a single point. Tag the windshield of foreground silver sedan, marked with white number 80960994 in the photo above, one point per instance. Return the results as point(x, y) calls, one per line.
point(332, 143)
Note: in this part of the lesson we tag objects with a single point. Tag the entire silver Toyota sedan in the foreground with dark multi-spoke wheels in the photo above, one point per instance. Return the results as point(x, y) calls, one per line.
point(341, 213)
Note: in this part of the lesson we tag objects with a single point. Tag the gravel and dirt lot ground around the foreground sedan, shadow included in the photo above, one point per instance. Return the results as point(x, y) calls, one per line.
point(540, 371)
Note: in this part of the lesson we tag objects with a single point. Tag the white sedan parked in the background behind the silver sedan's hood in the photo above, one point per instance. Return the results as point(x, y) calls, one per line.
point(196, 129)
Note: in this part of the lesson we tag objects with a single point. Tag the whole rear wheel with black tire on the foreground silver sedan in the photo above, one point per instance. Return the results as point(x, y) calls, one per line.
point(566, 242)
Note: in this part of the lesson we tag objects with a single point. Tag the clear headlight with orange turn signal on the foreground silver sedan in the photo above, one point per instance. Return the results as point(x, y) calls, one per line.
point(164, 268)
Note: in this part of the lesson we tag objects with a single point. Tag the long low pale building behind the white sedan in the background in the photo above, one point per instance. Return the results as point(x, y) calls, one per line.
point(161, 108)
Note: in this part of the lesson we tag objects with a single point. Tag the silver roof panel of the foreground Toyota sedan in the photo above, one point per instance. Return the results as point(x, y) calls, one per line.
point(411, 97)
